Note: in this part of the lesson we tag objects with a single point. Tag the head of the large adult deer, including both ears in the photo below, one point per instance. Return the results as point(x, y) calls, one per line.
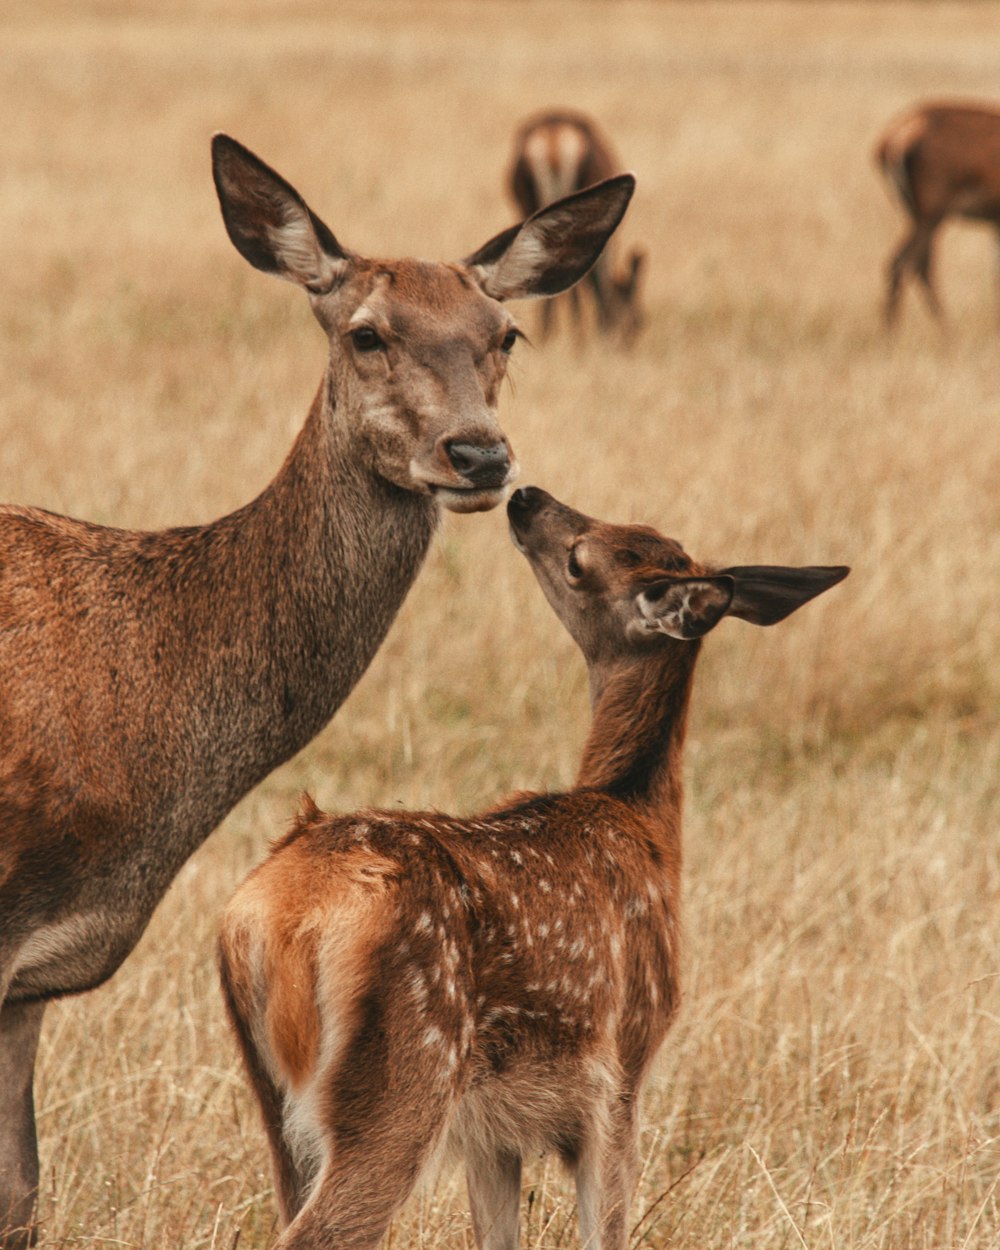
point(418, 349)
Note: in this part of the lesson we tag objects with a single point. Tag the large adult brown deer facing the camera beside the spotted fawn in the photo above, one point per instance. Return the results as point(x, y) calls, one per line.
point(149, 681)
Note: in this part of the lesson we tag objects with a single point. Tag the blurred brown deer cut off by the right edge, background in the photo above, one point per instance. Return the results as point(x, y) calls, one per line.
point(944, 162)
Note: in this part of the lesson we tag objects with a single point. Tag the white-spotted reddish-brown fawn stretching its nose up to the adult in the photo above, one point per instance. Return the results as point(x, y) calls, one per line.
point(403, 982)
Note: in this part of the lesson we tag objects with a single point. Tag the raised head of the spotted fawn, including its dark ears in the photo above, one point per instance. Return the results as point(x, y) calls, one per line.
point(623, 589)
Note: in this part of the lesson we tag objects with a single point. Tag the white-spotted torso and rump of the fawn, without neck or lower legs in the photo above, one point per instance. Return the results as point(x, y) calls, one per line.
point(512, 953)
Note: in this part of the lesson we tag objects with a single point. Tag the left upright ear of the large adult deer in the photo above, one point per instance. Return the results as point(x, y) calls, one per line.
point(271, 224)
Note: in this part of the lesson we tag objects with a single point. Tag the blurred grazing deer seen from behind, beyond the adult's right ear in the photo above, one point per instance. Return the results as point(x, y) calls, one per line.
point(554, 156)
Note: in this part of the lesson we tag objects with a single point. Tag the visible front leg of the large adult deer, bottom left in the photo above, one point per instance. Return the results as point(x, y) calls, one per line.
point(21, 1026)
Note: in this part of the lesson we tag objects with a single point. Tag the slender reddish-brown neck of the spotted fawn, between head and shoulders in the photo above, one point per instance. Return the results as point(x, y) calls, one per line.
point(637, 738)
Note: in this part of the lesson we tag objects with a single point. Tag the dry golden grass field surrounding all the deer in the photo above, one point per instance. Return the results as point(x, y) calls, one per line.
point(833, 1078)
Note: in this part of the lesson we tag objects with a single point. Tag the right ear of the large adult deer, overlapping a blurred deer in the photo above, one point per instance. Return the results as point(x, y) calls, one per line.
point(556, 247)
